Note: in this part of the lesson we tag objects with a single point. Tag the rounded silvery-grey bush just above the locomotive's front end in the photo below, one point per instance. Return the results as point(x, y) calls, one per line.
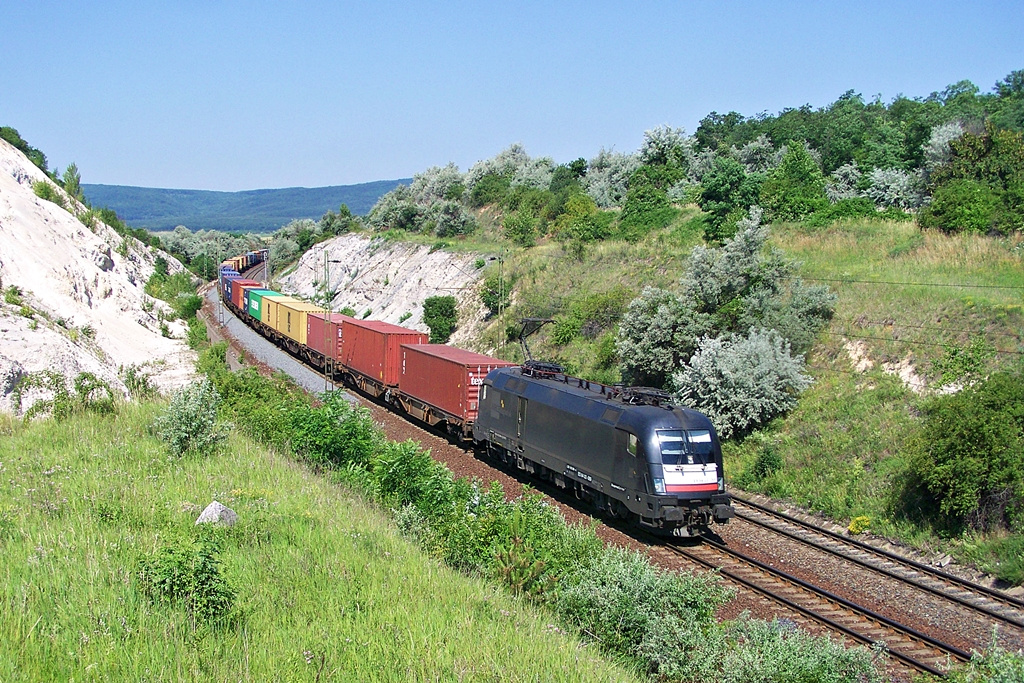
point(742, 382)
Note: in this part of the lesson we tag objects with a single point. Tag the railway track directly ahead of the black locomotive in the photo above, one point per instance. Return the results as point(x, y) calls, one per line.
point(913, 650)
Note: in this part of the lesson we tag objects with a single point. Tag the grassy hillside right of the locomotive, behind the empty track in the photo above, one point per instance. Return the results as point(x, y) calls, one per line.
point(843, 447)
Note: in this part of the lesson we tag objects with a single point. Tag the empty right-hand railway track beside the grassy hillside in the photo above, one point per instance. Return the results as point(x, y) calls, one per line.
point(986, 603)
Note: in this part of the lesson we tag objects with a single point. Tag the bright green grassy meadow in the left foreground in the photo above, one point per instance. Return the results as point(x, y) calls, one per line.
point(326, 588)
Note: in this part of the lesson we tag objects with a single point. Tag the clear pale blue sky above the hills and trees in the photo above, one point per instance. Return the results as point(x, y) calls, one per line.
point(218, 95)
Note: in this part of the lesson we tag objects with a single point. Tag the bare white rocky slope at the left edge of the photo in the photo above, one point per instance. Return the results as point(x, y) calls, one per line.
point(74, 295)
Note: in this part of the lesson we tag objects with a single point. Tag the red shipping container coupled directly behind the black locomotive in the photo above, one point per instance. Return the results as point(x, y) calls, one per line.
point(446, 377)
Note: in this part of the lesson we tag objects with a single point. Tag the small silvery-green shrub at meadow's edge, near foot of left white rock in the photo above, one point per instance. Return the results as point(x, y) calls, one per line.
point(190, 423)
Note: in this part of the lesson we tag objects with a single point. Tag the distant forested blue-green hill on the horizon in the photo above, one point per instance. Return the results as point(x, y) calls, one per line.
point(254, 210)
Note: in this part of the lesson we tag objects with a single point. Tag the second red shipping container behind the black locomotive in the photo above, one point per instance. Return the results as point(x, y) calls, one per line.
point(373, 349)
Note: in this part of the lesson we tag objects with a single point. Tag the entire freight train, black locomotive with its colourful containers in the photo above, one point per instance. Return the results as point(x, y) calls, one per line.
point(630, 452)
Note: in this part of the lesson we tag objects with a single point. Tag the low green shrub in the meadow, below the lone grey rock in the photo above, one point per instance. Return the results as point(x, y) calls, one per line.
point(190, 574)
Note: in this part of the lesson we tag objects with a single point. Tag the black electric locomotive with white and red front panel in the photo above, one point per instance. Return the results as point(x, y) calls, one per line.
point(630, 452)
